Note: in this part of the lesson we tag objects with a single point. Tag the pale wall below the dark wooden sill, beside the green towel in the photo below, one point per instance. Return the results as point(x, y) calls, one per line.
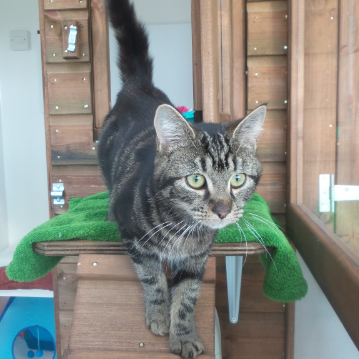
point(319, 334)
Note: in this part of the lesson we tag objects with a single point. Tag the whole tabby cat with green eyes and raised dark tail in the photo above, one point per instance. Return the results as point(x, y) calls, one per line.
point(172, 184)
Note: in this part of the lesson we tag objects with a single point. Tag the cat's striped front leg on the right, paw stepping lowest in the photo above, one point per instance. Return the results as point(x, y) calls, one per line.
point(187, 280)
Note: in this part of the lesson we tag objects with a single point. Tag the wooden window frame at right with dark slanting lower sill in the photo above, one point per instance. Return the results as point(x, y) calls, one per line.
point(333, 265)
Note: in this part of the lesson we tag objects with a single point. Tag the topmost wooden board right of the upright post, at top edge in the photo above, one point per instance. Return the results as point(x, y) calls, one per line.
point(267, 28)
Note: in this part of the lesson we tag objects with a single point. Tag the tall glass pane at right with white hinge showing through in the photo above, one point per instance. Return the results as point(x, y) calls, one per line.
point(331, 116)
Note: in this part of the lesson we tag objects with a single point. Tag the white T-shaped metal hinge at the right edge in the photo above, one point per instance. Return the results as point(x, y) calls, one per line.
point(330, 193)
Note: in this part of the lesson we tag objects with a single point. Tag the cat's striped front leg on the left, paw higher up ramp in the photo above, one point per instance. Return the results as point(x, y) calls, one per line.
point(155, 292)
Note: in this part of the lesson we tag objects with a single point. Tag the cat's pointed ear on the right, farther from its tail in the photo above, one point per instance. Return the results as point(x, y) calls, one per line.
point(248, 130)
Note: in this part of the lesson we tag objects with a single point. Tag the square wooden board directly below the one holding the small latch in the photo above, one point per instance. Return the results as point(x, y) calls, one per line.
point(69, 88)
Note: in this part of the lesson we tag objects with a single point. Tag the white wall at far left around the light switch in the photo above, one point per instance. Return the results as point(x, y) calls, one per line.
point(23, 131)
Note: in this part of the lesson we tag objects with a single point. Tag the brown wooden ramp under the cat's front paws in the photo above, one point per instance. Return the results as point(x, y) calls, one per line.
point(109, 311)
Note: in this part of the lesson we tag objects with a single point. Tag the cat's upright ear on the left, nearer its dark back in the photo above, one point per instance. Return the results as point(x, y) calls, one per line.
point(172, 129)
